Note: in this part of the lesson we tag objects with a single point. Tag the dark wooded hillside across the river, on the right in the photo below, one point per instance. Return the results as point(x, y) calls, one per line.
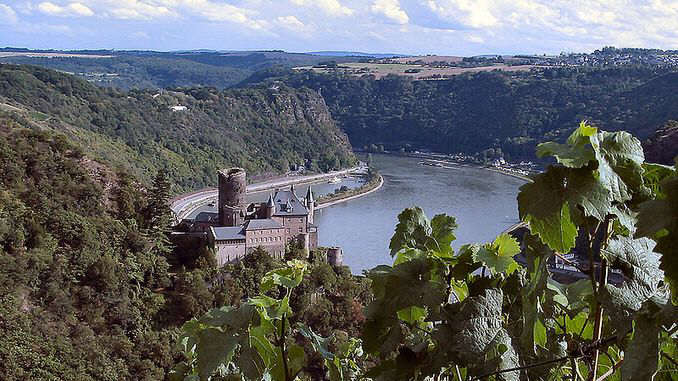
point(471, 113)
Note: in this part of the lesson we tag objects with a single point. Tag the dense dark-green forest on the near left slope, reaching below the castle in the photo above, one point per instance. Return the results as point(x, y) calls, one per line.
point(90, 287)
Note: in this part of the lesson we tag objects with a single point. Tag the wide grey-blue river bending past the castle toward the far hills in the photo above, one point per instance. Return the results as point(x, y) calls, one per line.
point(484, 203)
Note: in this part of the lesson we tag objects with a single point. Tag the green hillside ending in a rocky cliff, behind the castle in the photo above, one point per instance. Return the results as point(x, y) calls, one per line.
point(265, 130)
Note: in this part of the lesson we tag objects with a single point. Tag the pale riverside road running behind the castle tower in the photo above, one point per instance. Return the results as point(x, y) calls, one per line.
point(186, 204)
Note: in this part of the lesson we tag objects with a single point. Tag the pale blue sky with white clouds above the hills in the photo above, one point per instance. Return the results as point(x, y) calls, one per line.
point(445, 27)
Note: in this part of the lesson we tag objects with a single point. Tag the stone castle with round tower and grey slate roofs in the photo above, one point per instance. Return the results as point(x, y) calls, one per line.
point(238, 228)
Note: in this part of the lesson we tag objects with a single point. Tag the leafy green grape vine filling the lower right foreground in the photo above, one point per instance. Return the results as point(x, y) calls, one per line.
point(477, 314)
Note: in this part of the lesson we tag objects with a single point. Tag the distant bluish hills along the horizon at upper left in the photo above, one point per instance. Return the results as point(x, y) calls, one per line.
point(157, 70)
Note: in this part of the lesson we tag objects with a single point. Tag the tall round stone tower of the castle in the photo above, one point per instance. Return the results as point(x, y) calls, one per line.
point(232, 192)
